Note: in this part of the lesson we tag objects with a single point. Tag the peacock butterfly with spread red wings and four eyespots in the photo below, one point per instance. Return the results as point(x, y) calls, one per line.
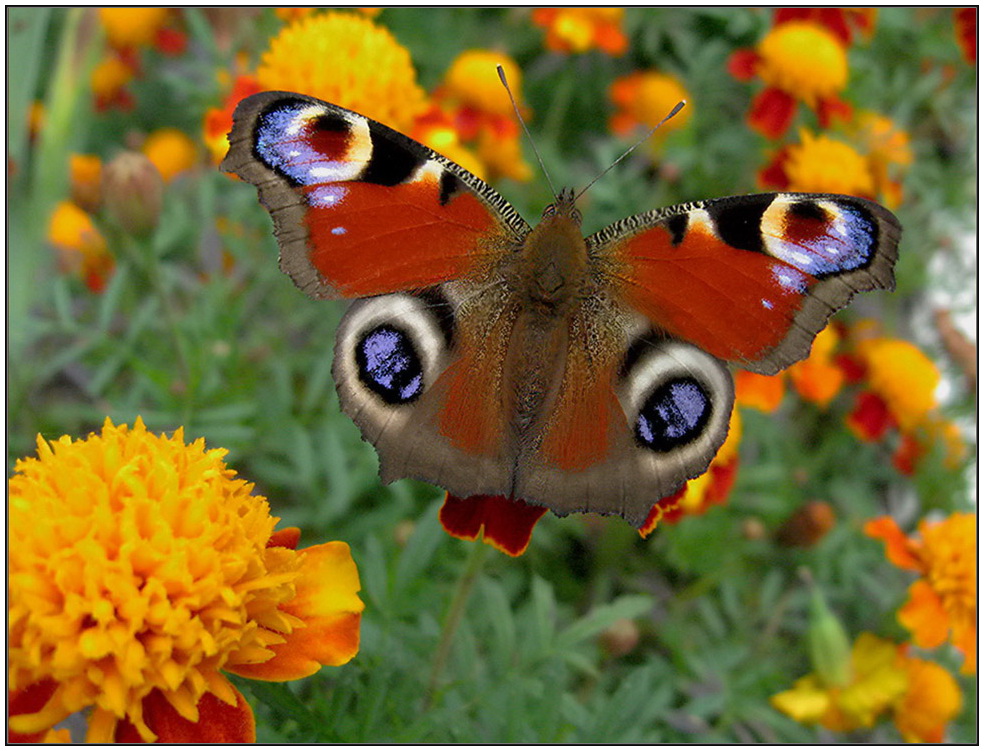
point(489, 357)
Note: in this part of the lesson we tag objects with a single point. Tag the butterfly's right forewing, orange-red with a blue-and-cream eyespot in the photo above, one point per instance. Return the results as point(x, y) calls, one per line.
point(751, 279)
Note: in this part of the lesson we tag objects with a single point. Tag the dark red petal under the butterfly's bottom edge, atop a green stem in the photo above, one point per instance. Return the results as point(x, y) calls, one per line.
point(505, 524)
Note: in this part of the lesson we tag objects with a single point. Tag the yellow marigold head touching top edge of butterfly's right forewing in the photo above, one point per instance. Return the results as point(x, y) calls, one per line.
point(820, 164)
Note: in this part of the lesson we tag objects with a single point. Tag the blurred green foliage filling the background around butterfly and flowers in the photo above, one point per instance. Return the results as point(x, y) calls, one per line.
point(594, 634)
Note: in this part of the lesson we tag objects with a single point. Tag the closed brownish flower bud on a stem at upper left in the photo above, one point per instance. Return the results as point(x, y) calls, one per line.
point(133, 192)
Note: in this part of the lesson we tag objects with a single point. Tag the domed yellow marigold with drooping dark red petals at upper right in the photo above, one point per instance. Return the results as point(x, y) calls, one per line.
point(798, 61)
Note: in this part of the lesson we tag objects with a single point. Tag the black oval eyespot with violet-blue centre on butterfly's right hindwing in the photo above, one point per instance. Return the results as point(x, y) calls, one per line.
point(674, 415)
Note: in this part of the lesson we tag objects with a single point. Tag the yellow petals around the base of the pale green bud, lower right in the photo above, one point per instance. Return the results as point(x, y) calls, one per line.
point(878, 679)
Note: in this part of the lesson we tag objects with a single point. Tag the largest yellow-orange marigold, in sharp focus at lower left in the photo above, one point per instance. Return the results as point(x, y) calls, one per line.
point(139, 569)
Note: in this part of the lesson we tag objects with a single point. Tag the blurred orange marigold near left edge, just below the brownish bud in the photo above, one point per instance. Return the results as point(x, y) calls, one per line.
point(81, 246)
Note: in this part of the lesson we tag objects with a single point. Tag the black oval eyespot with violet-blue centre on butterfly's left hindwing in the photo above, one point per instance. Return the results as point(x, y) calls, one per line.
point(389, 365)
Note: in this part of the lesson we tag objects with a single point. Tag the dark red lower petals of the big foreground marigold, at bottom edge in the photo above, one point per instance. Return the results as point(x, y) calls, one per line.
point(218, 722)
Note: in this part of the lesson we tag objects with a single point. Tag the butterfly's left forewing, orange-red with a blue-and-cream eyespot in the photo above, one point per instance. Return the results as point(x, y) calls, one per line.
point(358, 208)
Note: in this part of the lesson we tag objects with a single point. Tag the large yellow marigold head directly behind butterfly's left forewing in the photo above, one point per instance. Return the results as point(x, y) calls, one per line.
point(348, 60)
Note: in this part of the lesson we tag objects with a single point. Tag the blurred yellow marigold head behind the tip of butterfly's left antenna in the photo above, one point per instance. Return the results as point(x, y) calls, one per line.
point(472, 80)
